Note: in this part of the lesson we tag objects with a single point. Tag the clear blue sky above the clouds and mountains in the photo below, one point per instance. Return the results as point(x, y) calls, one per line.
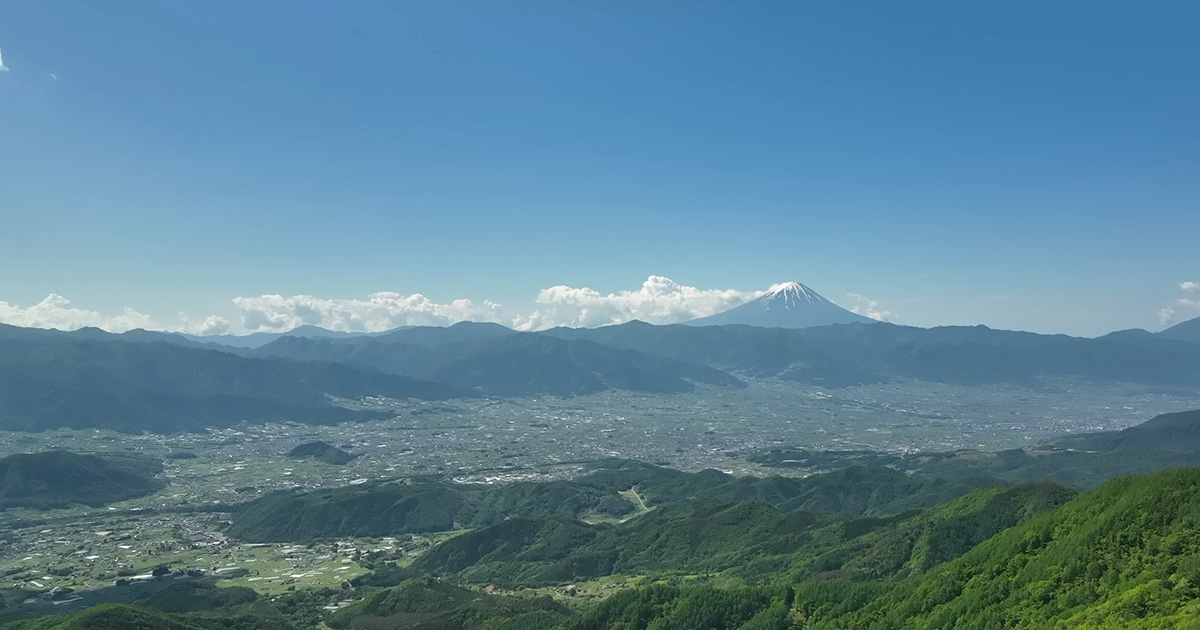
point(1021, 165)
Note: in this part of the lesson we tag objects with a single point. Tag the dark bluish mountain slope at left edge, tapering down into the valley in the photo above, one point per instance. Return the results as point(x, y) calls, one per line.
point(59, 381)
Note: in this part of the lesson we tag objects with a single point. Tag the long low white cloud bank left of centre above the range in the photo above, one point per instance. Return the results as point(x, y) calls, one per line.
point(380, 311)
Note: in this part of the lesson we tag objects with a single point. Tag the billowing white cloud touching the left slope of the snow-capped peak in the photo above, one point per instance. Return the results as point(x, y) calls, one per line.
point(661, 301)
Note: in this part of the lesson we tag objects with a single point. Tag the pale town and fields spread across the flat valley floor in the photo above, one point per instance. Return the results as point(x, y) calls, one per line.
point(63, 557)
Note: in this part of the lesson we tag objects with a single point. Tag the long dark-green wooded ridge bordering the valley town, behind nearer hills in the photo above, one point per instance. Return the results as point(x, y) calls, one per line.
point(435, 506)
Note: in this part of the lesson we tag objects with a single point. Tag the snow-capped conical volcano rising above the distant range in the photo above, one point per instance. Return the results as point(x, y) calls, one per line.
point(787, 305)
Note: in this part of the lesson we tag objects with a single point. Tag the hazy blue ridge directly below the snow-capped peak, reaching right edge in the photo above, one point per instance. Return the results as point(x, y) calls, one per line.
point(849, 355)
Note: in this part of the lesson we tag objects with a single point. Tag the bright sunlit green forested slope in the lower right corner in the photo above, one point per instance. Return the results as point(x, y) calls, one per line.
point(1126, 555)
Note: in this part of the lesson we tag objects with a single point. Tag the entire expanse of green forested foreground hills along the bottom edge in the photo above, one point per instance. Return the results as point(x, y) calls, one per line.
point(1033, 557)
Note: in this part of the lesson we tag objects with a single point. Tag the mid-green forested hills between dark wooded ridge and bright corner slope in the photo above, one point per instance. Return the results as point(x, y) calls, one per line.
point(759, 542)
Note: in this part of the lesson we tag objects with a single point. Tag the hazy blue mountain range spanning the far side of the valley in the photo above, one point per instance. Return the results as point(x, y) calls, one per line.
point(159, 382)
